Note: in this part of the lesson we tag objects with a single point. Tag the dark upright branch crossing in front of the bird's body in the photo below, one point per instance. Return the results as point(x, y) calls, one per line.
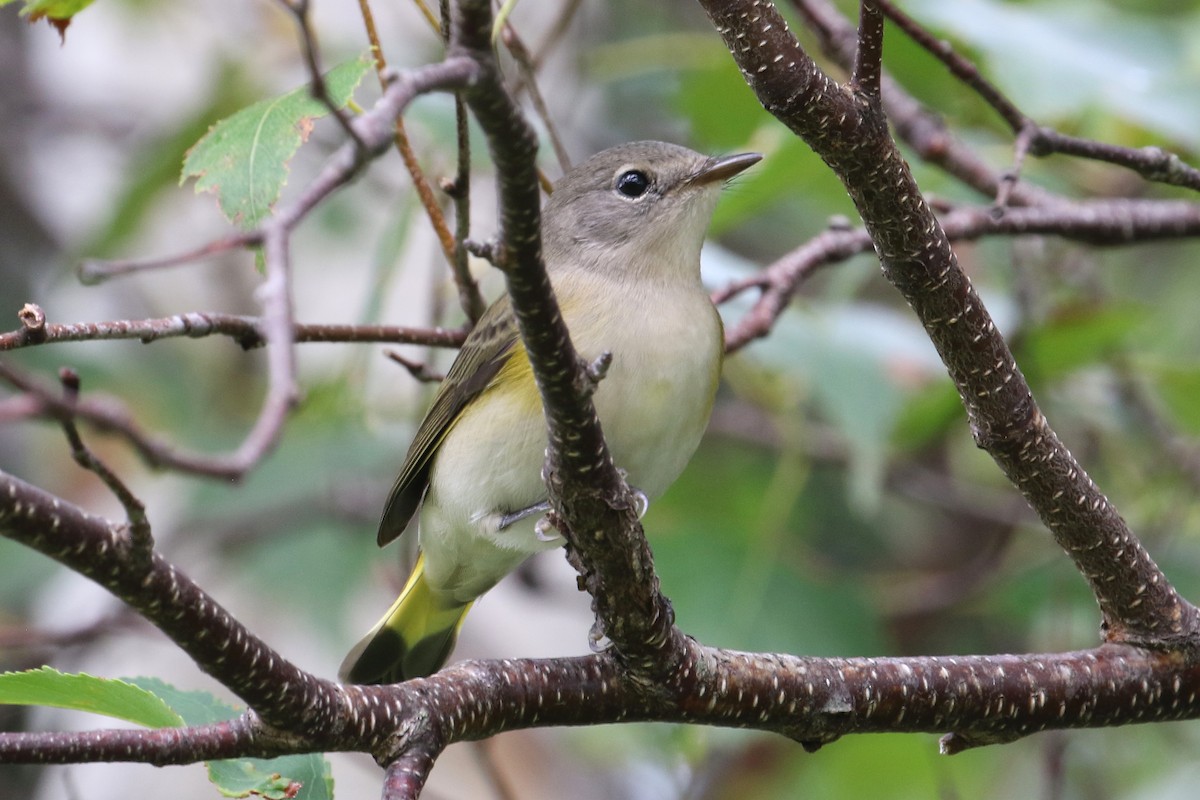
point(605, 538)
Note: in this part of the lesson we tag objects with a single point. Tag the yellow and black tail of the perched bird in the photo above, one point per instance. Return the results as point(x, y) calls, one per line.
point(413, 640)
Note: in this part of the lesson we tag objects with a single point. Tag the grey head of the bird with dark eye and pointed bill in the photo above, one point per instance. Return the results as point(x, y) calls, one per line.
point(639, 207)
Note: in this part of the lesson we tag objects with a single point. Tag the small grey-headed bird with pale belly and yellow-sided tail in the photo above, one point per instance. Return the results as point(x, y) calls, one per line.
point(622, 234)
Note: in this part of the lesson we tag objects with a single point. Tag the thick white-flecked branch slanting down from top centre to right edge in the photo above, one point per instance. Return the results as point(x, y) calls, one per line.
point(1137, 601)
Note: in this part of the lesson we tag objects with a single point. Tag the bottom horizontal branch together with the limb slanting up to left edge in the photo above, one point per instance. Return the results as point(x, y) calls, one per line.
point(982, 699)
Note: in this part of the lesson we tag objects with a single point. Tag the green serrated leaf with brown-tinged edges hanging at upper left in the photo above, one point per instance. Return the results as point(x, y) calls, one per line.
point(244, 159)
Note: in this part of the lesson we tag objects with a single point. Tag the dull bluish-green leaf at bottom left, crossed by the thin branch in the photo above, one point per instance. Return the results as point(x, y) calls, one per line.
point(301, 778)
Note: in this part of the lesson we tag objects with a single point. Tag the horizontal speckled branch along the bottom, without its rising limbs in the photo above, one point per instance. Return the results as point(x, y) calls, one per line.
point(982, 700)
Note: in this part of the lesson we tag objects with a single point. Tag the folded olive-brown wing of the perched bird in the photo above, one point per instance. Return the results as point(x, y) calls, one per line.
point(481, 359)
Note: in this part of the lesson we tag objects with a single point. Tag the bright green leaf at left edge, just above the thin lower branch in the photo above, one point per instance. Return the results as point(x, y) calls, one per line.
point(116, 699)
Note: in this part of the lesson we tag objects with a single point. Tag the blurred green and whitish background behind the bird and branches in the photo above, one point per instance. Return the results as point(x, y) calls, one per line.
point(839, 506)
